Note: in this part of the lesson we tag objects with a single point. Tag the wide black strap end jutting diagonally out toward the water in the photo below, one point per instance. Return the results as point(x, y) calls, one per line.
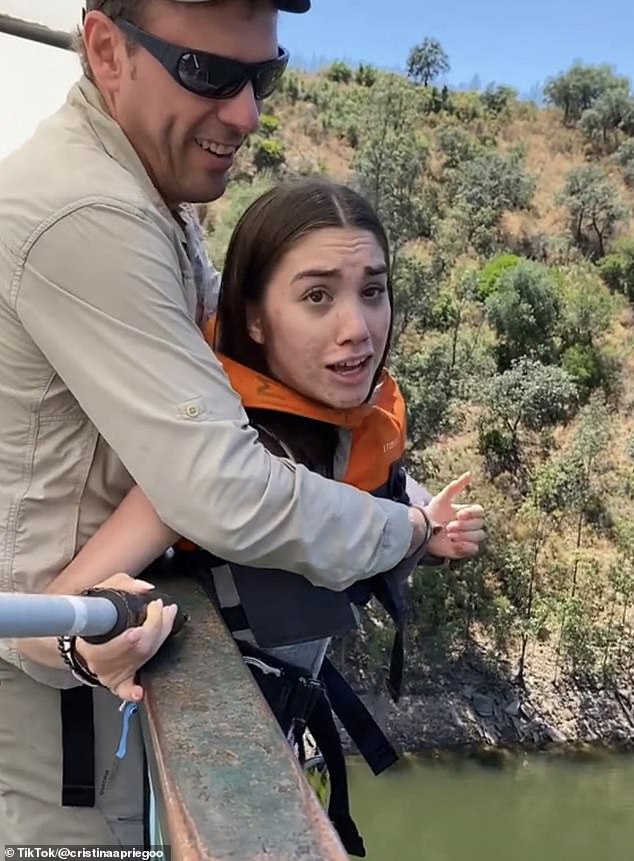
point(359, 723)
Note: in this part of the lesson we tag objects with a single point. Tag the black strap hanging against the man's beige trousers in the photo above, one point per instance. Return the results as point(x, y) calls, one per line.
point(78, 747)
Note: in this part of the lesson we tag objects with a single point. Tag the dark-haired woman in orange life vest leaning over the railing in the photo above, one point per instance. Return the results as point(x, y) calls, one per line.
point(303, 329)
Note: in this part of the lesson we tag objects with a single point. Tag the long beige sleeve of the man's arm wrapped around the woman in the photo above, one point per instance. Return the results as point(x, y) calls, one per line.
point(101, 294)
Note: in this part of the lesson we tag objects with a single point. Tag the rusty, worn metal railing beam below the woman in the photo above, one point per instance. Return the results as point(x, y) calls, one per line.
point(225, 782)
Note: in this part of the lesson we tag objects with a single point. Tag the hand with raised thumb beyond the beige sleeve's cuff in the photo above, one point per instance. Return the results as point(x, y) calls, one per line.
point(462, 526)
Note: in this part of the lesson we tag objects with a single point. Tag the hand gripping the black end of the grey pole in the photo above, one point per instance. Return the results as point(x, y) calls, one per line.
point(116, 662)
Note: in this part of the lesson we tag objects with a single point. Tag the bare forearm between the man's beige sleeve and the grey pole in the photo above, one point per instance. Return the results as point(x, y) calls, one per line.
point(131, 538)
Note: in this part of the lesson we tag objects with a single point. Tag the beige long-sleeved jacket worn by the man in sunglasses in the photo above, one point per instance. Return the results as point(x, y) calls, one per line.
point(105, 380)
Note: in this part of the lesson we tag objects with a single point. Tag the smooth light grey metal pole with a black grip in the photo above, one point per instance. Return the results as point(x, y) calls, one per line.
point(23, 615)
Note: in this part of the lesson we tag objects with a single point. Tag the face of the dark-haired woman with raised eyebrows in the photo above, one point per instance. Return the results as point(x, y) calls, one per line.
point(325, 316)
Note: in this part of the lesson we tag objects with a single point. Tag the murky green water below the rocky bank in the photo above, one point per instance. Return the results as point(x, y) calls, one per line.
point(533, 808)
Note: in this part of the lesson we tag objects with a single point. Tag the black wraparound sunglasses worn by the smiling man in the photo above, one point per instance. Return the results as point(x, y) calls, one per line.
point(209, 75)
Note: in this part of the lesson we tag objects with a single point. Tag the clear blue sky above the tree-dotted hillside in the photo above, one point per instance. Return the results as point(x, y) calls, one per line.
point(504, 41)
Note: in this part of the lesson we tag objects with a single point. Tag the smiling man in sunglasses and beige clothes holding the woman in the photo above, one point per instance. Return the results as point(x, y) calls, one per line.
point(105, 379)
